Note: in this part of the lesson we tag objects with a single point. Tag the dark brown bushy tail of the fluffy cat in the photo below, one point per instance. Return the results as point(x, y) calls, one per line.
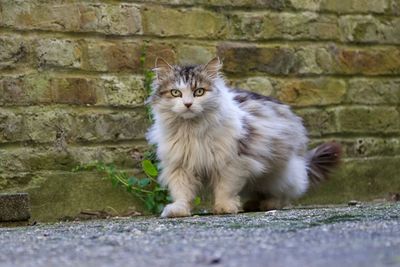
point(322, 160)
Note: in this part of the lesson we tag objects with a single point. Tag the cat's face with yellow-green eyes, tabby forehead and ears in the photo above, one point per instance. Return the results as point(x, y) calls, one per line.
point(186, 91)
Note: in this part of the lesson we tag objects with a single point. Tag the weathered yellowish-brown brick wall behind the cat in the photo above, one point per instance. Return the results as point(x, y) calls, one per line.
point(71, 85)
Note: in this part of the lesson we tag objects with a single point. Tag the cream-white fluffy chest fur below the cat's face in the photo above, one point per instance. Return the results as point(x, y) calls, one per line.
point(197, 148)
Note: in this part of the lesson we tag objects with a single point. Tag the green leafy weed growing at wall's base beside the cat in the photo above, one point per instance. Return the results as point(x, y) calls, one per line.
point(146, 189)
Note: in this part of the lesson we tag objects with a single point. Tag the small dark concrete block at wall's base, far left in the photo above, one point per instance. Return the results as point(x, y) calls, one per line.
point(14, 207)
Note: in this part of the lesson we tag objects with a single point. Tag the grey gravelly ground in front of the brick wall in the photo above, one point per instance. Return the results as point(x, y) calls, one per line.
point(366, 235)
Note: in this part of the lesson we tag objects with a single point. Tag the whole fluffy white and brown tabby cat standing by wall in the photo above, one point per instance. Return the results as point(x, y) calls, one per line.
point(250, 148)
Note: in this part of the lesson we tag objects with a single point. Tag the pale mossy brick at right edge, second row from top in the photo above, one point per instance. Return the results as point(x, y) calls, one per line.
point(370, 29)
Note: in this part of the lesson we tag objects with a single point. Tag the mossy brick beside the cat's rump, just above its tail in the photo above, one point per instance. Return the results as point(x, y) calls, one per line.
point(318, 122)
